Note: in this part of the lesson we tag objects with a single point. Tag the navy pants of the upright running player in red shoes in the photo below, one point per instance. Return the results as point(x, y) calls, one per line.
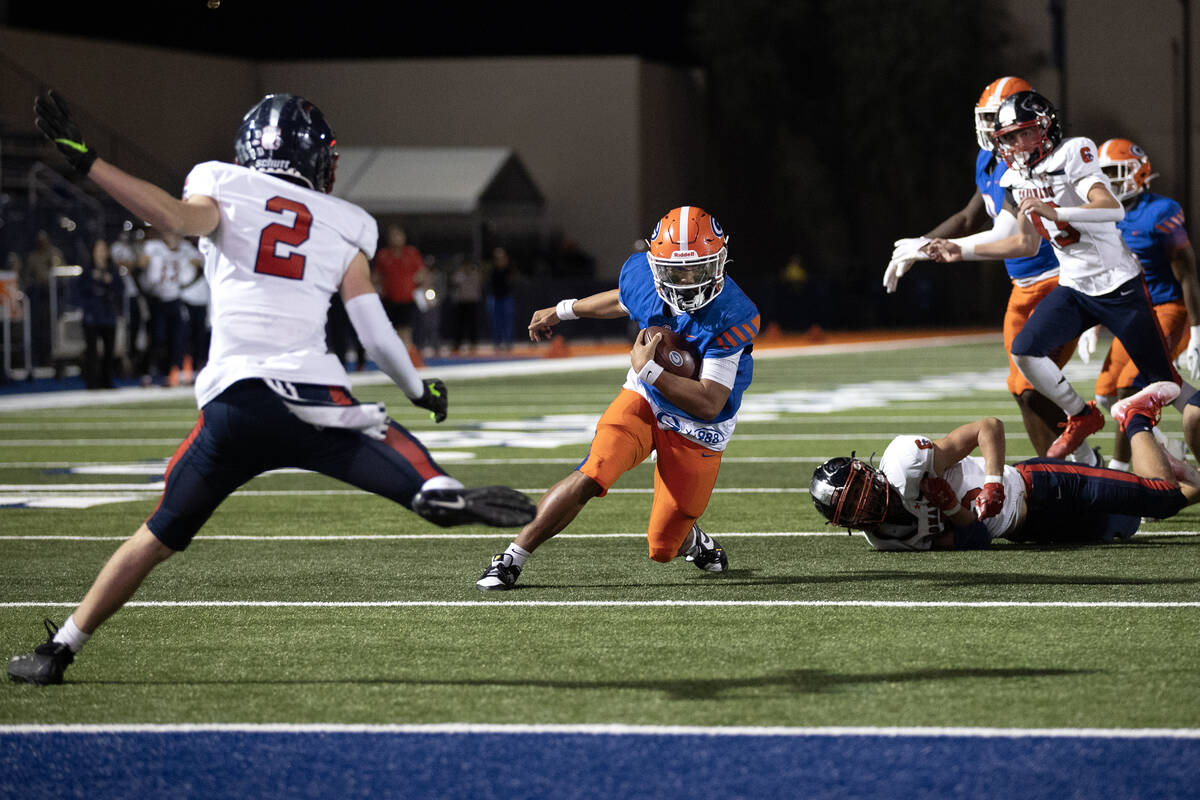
point(1065, 314)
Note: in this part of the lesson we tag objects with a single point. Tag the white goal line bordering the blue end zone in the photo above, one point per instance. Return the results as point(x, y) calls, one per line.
point(604, 730)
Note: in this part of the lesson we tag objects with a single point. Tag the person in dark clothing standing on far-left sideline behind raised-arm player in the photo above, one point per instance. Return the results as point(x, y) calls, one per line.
point(101, 299)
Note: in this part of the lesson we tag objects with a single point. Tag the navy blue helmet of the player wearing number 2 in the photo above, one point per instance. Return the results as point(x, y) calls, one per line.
point(287, 136)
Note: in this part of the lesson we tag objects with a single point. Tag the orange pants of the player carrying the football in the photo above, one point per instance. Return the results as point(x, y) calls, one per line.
point(683, 478)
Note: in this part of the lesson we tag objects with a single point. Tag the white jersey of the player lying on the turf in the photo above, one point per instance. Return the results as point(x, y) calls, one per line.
point(907, 462)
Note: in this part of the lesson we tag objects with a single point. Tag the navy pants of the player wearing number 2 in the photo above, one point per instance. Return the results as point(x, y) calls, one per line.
point(248, 431)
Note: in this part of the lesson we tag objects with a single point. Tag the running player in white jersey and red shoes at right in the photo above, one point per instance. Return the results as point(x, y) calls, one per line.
point(1058, 193)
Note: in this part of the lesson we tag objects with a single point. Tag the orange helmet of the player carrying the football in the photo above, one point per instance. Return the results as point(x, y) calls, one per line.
point(688, 254)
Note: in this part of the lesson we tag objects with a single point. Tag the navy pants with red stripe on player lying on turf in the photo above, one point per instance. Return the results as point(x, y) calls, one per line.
point(1072, 503)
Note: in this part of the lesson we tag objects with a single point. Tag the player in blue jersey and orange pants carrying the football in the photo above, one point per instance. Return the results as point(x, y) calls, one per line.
point(680, 284)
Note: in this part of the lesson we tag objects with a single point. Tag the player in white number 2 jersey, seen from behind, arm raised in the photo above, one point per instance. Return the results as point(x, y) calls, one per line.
point(277, 246)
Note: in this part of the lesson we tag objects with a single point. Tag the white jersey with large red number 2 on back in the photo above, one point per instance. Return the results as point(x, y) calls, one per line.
point(278, 255)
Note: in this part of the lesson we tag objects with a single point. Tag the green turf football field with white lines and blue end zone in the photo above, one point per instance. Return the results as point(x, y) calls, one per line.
point(320, 642)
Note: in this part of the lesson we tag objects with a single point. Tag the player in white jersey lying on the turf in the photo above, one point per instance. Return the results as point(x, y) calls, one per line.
point(934, 495)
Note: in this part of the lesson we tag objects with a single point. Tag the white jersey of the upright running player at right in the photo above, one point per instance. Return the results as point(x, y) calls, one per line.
point(1093, 256)
